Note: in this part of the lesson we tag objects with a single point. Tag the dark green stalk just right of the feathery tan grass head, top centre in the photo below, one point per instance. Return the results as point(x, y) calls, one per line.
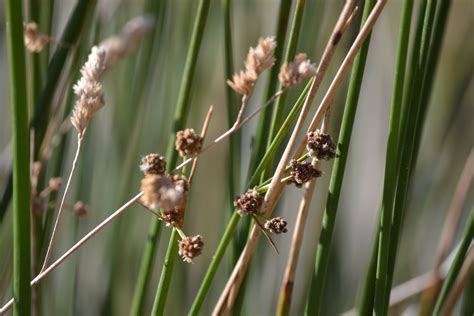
point(261, 137)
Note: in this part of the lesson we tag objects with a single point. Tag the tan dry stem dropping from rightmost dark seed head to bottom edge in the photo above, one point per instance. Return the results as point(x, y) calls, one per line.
point(286, 289)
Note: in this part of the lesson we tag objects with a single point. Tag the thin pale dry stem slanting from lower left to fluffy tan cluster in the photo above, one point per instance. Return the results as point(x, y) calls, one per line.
point(74, 248)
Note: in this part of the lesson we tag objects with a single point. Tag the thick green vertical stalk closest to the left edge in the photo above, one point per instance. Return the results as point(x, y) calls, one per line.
point(21, 160)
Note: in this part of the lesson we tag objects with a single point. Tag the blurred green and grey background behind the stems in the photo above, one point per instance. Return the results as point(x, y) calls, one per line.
point(137, 118)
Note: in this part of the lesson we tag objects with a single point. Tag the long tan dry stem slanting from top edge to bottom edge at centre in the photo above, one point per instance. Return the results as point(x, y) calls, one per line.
point(276, 188)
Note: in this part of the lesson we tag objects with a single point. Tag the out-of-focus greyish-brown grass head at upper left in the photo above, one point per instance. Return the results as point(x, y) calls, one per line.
point(127, 41)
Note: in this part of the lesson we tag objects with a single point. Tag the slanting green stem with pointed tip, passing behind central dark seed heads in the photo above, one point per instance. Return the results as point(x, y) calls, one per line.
point(234, 220)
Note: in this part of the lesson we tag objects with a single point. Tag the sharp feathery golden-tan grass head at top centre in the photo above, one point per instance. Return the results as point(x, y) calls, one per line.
point(258, 60)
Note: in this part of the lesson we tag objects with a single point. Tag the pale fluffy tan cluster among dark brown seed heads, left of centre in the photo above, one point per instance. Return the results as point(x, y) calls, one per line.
point(164, 192)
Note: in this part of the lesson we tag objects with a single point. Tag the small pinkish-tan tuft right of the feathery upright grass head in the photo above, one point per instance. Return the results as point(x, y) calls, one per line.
point(297, 71)
